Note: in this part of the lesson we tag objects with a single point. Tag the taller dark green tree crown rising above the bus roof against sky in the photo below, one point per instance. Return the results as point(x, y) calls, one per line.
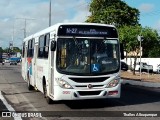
point(112, 12)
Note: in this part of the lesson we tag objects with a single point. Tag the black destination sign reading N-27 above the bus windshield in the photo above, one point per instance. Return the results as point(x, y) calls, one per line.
point(87, 31)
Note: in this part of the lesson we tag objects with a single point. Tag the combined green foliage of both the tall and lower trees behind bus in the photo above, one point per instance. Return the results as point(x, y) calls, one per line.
point(126, 19)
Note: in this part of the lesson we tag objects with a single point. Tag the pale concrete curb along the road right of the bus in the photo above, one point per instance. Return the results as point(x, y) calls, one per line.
point(141, 83)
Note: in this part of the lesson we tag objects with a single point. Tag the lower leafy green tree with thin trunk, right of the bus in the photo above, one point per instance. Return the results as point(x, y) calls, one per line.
point(150, 44)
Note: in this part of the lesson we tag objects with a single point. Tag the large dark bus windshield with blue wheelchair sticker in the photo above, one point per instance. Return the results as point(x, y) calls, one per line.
point(87, 56)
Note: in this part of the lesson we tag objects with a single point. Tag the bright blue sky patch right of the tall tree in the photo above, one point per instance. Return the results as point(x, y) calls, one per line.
point(149, 12)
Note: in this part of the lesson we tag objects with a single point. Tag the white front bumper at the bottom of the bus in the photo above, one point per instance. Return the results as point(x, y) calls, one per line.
point(79, 94)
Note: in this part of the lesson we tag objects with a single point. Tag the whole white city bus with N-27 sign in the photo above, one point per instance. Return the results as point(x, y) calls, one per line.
point(73, 61)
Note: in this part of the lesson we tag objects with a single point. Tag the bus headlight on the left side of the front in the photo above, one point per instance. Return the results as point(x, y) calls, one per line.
point(63, 84)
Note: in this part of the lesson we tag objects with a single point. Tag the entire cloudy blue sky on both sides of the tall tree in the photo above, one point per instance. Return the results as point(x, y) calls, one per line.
point(36, 13)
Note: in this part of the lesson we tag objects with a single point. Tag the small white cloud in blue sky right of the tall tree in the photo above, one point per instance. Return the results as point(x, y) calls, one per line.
point(146, 7)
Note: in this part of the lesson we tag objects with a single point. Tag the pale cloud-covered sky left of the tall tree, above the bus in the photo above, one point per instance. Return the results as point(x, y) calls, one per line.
point(62, 11)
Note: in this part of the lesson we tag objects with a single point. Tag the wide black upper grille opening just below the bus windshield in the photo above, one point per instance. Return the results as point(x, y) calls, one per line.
point(89, 80)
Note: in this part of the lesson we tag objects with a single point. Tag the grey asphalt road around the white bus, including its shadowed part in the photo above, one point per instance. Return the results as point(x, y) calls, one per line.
point(133, 100)
